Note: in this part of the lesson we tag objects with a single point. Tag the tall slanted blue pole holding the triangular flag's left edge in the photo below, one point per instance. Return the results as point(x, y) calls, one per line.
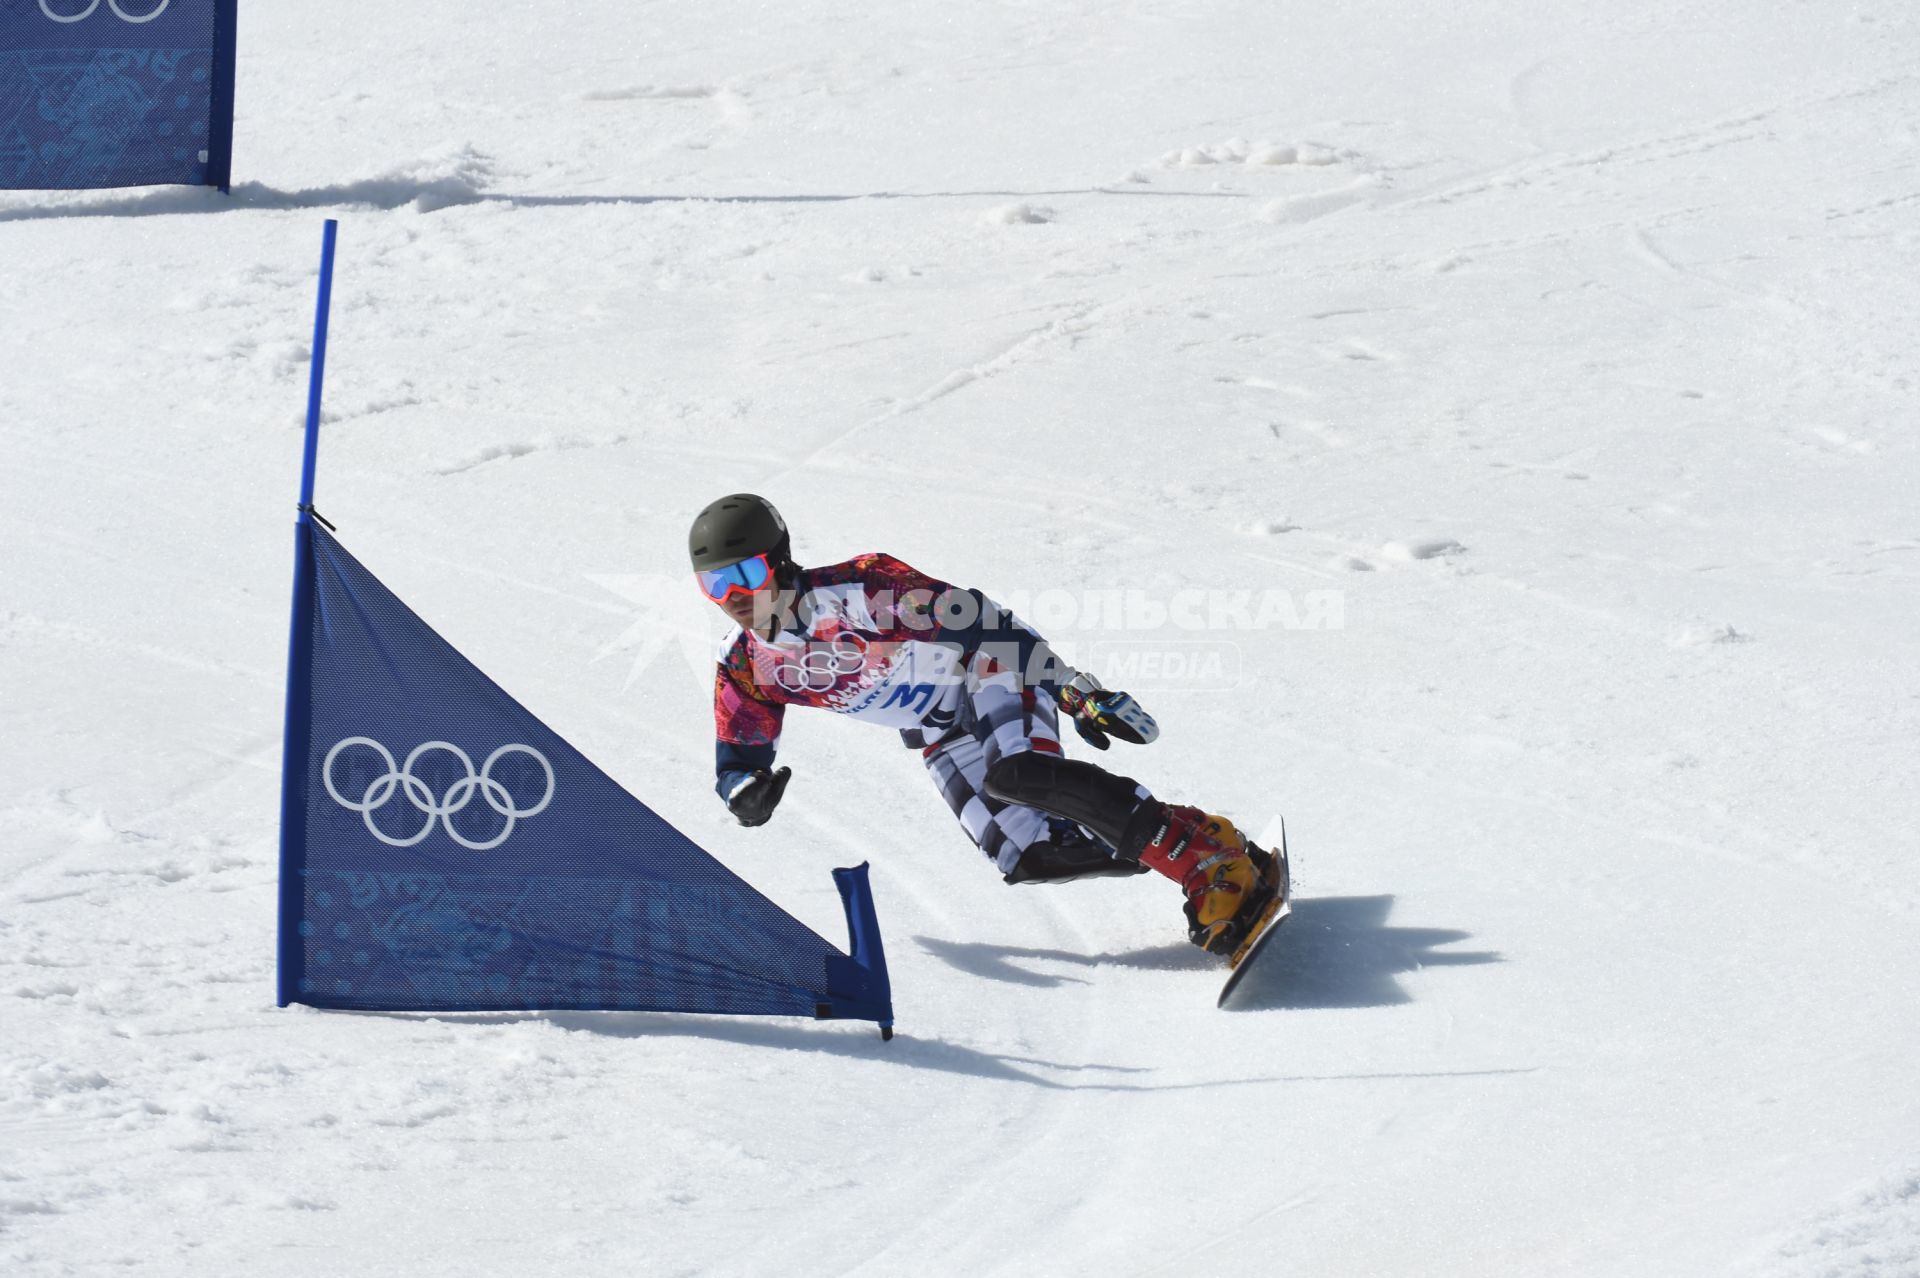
point(291, 982)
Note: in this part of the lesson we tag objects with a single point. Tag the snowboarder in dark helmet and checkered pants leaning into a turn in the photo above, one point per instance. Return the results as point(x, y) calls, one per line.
point(978, 694)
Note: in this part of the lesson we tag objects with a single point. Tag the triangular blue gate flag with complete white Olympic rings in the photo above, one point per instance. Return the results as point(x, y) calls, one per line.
point(446, 851)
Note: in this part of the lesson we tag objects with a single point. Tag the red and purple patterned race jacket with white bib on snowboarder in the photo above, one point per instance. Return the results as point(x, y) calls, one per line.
point(873, 640)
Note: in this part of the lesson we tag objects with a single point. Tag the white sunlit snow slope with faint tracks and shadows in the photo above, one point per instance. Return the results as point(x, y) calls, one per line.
point(1570, 344)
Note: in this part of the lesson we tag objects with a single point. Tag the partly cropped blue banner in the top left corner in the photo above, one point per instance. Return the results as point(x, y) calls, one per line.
point(116, 93)
